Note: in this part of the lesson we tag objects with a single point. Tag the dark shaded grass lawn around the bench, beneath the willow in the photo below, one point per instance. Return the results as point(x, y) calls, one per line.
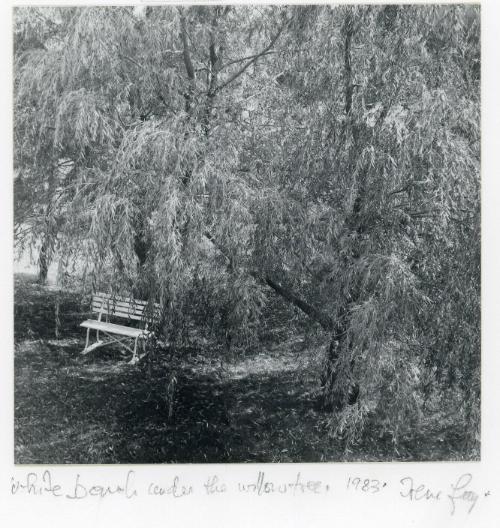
point(258, 406)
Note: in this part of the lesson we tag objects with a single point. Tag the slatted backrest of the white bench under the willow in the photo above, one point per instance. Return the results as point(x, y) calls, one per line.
point(126, 308)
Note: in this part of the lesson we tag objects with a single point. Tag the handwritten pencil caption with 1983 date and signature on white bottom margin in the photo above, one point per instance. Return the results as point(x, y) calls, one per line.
point(460, 495)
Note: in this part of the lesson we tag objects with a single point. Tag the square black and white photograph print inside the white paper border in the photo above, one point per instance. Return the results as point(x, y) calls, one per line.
point(246, 233)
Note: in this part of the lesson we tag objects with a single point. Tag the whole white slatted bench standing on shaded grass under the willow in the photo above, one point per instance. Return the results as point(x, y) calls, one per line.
point(124, 308)
